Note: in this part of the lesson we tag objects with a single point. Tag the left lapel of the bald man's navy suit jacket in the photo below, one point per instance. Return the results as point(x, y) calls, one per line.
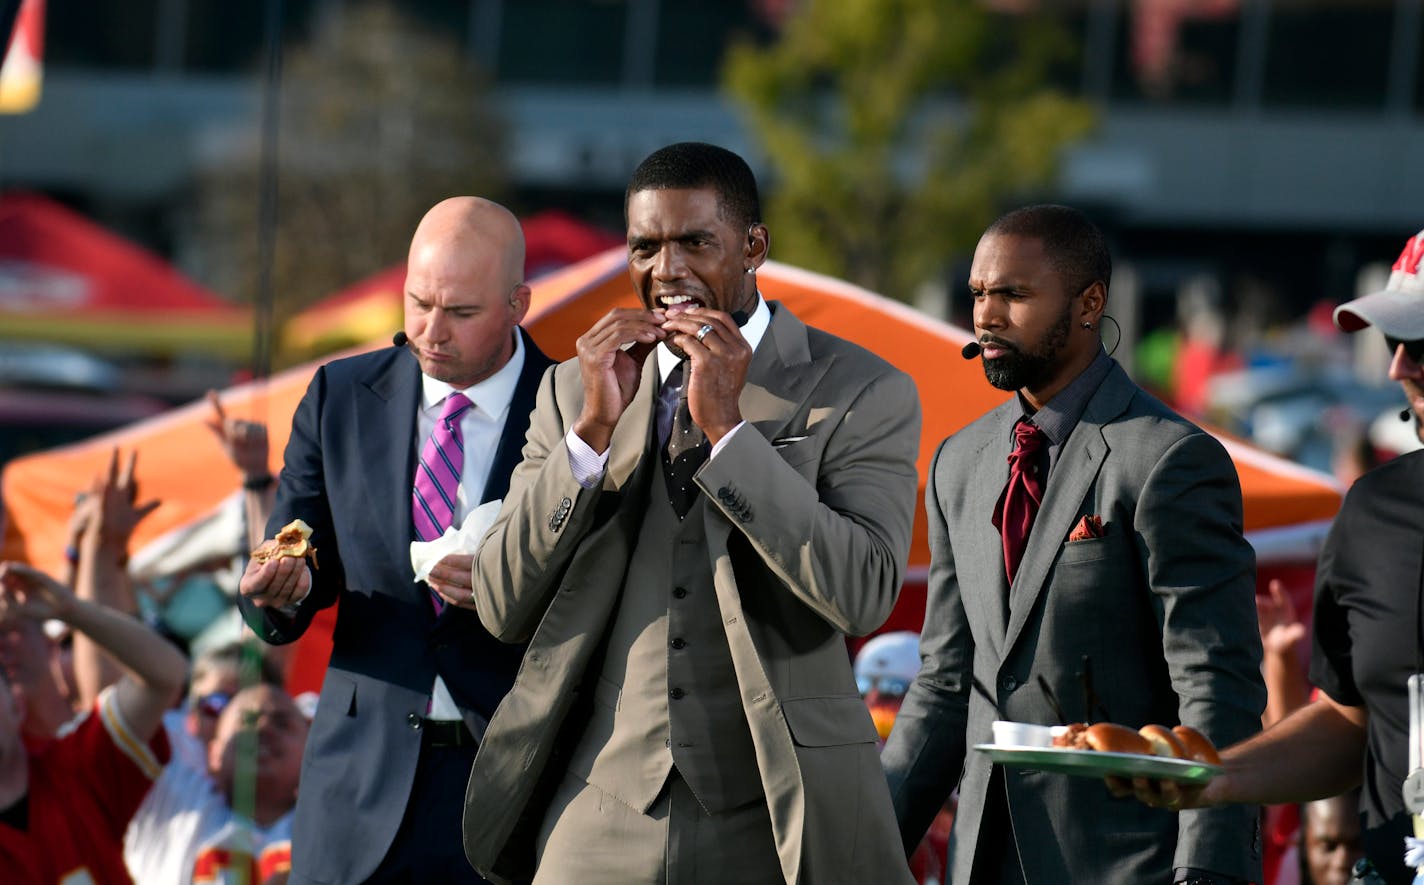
point(385, 425)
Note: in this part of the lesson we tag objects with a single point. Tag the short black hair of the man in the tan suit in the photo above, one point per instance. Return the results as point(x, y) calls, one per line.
point(697, 165)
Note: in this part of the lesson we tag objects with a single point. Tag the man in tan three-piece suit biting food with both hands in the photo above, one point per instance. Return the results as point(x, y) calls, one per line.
point(713, 495)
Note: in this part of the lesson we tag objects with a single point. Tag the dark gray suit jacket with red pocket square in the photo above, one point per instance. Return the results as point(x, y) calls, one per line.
point(1163, 605)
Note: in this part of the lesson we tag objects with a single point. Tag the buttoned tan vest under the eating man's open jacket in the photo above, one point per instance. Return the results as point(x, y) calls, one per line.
point(667, 693)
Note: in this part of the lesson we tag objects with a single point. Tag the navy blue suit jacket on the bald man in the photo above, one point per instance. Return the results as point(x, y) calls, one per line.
point(348, 472)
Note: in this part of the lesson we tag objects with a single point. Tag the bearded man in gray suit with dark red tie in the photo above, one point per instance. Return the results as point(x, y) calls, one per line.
point(1119, 589)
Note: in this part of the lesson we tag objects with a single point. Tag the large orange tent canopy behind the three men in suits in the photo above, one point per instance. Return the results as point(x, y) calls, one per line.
point(182, 464)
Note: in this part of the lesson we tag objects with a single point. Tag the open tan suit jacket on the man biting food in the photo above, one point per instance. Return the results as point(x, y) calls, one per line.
point(807, 531)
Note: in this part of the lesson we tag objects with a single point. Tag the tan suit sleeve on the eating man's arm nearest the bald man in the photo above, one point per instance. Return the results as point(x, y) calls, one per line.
point(525, 554)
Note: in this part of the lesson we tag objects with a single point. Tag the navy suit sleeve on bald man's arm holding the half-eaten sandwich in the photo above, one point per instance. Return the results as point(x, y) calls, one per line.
point(303, 494)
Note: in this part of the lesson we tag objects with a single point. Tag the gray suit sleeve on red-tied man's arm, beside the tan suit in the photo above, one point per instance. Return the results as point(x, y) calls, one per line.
point(925, 756)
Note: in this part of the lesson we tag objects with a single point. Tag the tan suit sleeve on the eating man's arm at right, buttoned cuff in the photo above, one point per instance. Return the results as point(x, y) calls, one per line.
point(839, 545)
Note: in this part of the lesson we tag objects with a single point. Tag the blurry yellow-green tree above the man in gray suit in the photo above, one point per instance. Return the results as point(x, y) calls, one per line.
point(896, 130)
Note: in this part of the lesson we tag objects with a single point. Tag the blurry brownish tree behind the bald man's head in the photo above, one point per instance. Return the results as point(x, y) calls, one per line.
point(379, 120)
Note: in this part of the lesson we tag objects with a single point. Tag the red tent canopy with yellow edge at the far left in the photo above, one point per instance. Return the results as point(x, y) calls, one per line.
point(65, 279)
